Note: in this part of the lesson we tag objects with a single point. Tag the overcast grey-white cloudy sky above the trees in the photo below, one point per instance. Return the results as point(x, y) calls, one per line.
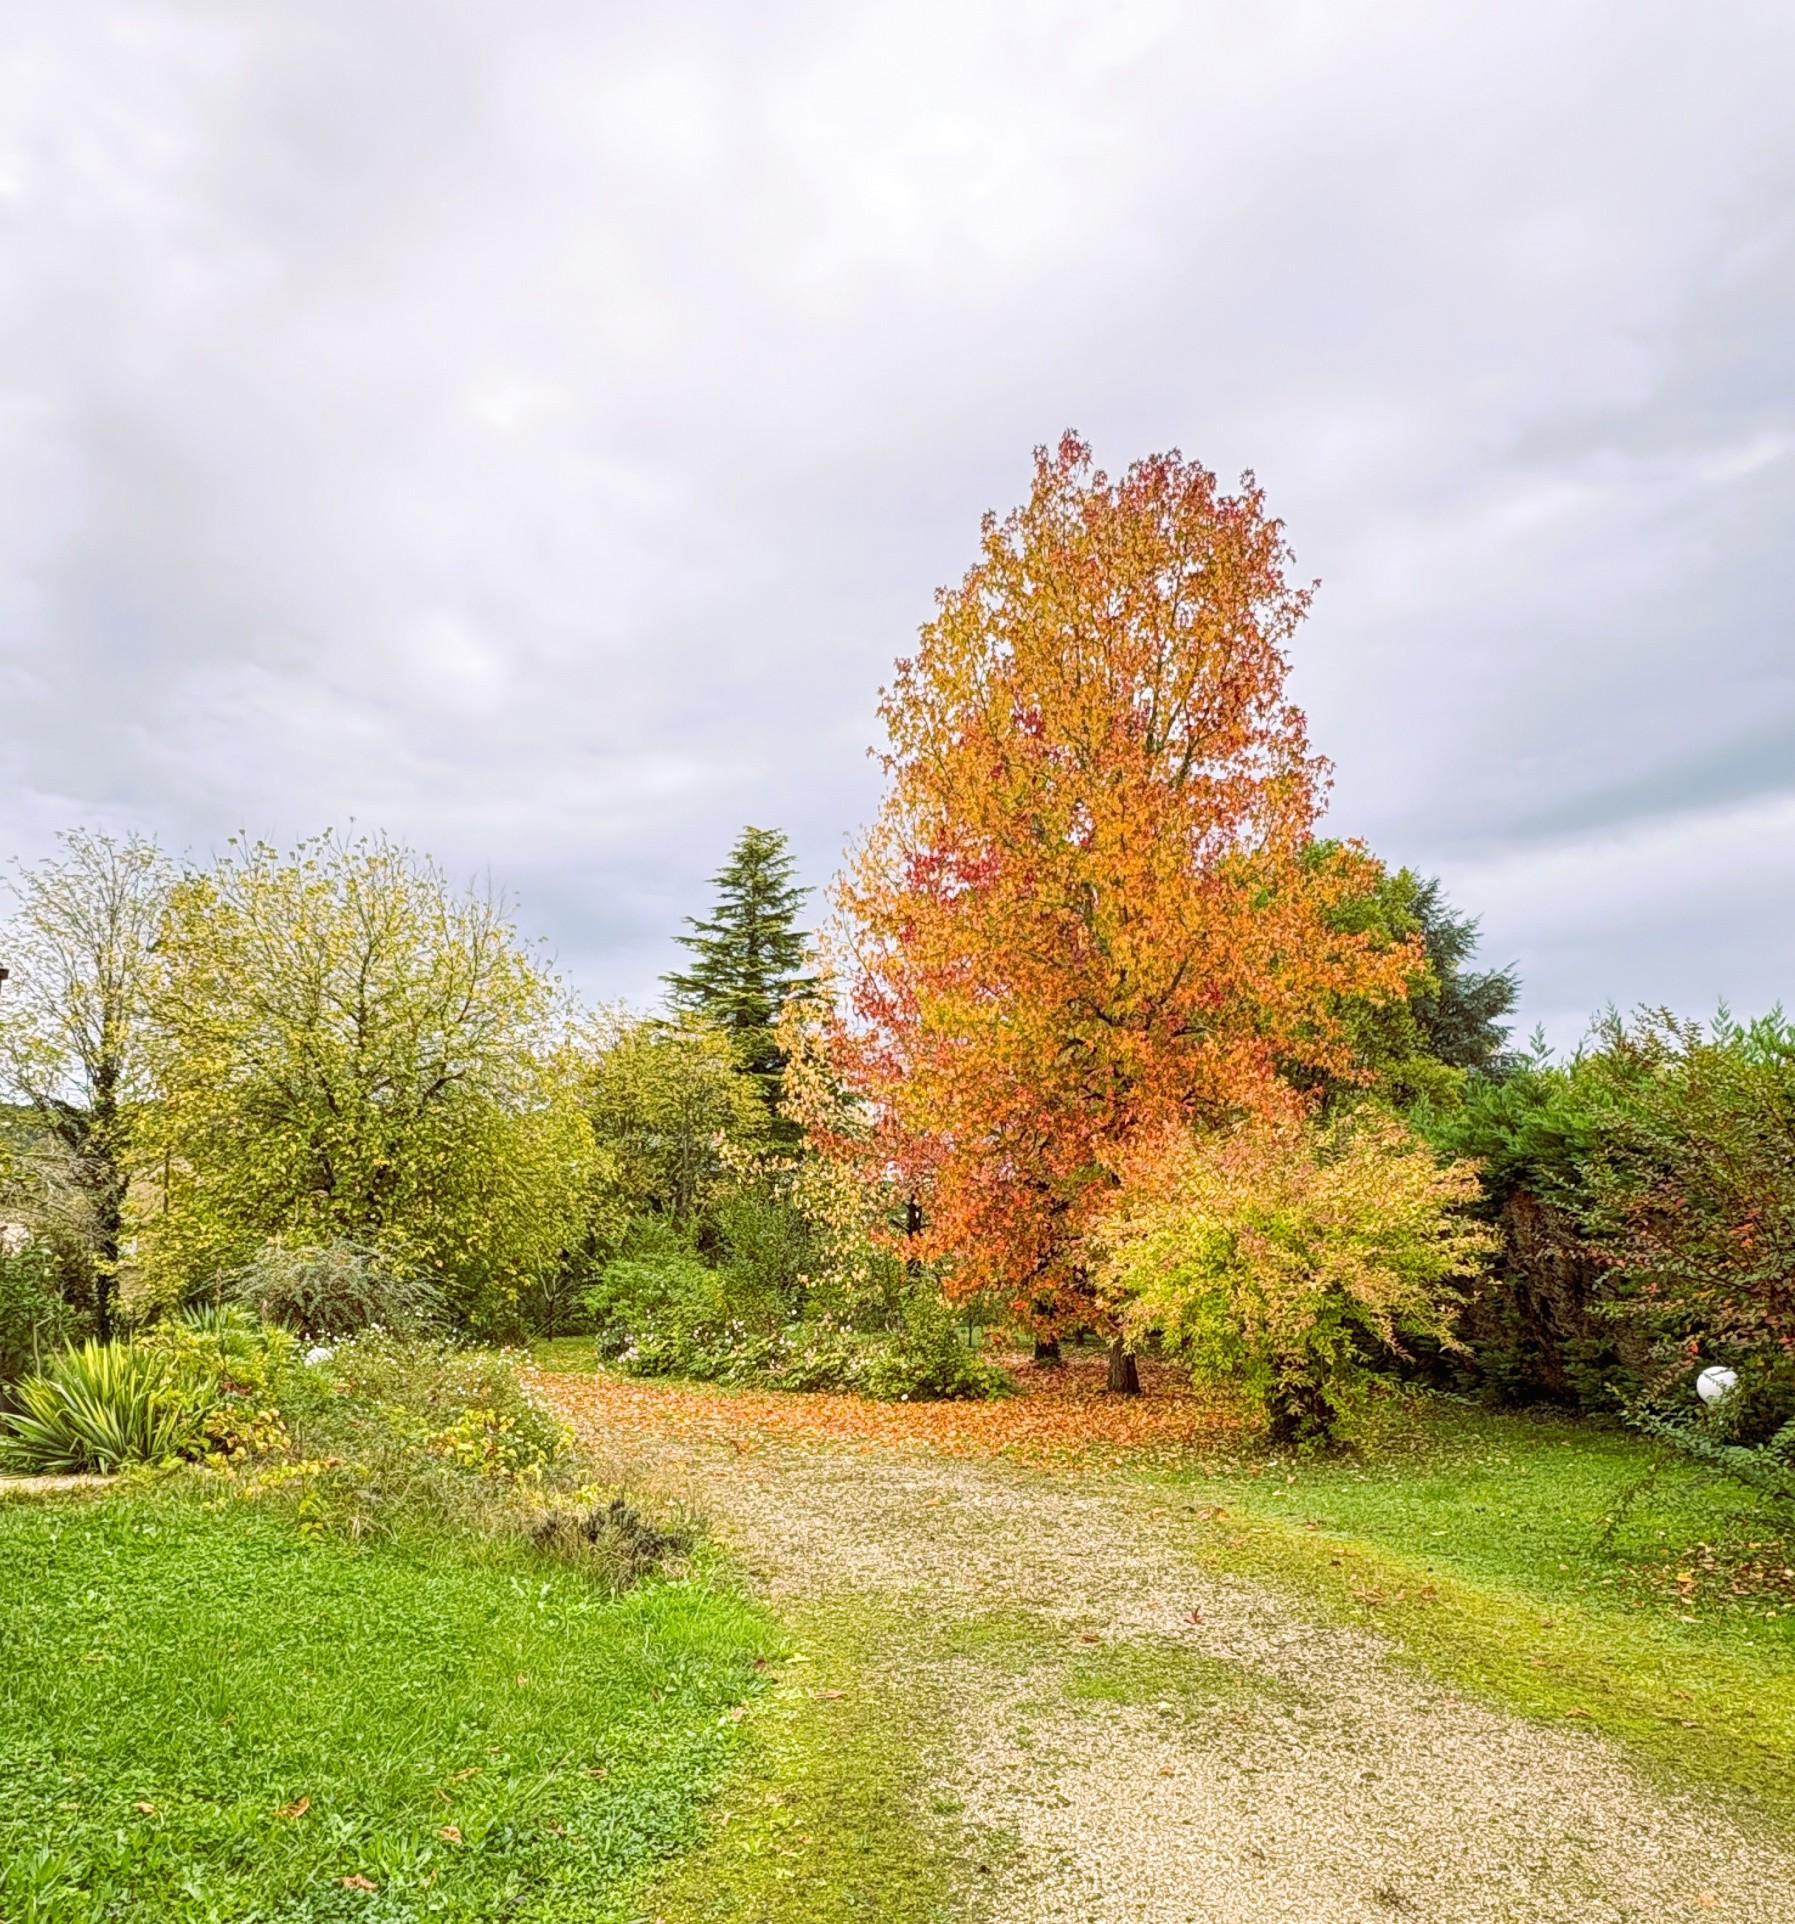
point(534, 428)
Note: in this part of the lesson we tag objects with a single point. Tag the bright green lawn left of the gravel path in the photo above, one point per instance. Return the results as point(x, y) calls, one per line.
point(209, 1715)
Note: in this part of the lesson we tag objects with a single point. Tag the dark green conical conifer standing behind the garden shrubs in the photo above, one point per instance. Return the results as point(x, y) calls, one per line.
point(747, 955)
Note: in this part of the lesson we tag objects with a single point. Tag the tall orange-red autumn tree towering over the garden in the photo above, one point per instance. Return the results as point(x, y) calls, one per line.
point(1092, 905)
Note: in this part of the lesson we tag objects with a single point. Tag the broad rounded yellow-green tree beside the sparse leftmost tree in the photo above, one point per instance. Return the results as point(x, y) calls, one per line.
point(351, 1051)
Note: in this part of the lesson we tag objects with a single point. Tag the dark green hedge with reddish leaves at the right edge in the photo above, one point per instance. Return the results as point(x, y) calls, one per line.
point(1646, 1196)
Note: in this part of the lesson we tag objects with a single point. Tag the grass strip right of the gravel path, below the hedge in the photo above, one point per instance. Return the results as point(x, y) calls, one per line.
point(1567, 1569)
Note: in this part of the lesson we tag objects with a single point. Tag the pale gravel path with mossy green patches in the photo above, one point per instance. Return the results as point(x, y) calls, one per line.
point(1167, 1746)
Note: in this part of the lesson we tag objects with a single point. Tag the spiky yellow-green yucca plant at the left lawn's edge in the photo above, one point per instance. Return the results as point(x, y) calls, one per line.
point(99, 1407)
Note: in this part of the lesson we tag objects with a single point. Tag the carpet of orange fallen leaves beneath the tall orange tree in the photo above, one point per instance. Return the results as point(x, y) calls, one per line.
point(1059, 1417)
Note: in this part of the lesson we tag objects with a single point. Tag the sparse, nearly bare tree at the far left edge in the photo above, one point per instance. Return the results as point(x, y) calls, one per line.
point(74, 1023)
